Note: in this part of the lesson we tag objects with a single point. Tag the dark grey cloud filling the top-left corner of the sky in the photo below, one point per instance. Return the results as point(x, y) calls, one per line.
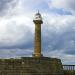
point(5, 5)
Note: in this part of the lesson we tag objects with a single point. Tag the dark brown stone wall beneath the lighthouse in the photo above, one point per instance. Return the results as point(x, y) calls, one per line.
point(31, 66)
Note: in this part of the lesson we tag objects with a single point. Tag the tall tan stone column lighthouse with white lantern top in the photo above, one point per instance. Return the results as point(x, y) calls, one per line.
point(37, 41)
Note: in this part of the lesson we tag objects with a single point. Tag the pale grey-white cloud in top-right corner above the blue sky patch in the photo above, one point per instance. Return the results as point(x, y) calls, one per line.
point(68, 5)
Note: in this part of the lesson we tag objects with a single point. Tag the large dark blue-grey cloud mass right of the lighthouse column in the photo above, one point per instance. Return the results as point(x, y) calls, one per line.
point(63, 40)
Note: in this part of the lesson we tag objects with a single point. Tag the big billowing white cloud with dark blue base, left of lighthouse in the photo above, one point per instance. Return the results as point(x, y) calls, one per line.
point(18, 36)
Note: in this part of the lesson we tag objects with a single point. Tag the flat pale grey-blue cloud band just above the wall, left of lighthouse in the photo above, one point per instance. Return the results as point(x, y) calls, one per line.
point(15, 53)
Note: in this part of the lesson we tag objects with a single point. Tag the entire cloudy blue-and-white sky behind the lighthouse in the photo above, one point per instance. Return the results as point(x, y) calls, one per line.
point(58, 28)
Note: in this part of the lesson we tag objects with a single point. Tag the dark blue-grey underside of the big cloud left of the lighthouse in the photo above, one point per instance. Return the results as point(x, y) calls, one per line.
point(23, 45)
